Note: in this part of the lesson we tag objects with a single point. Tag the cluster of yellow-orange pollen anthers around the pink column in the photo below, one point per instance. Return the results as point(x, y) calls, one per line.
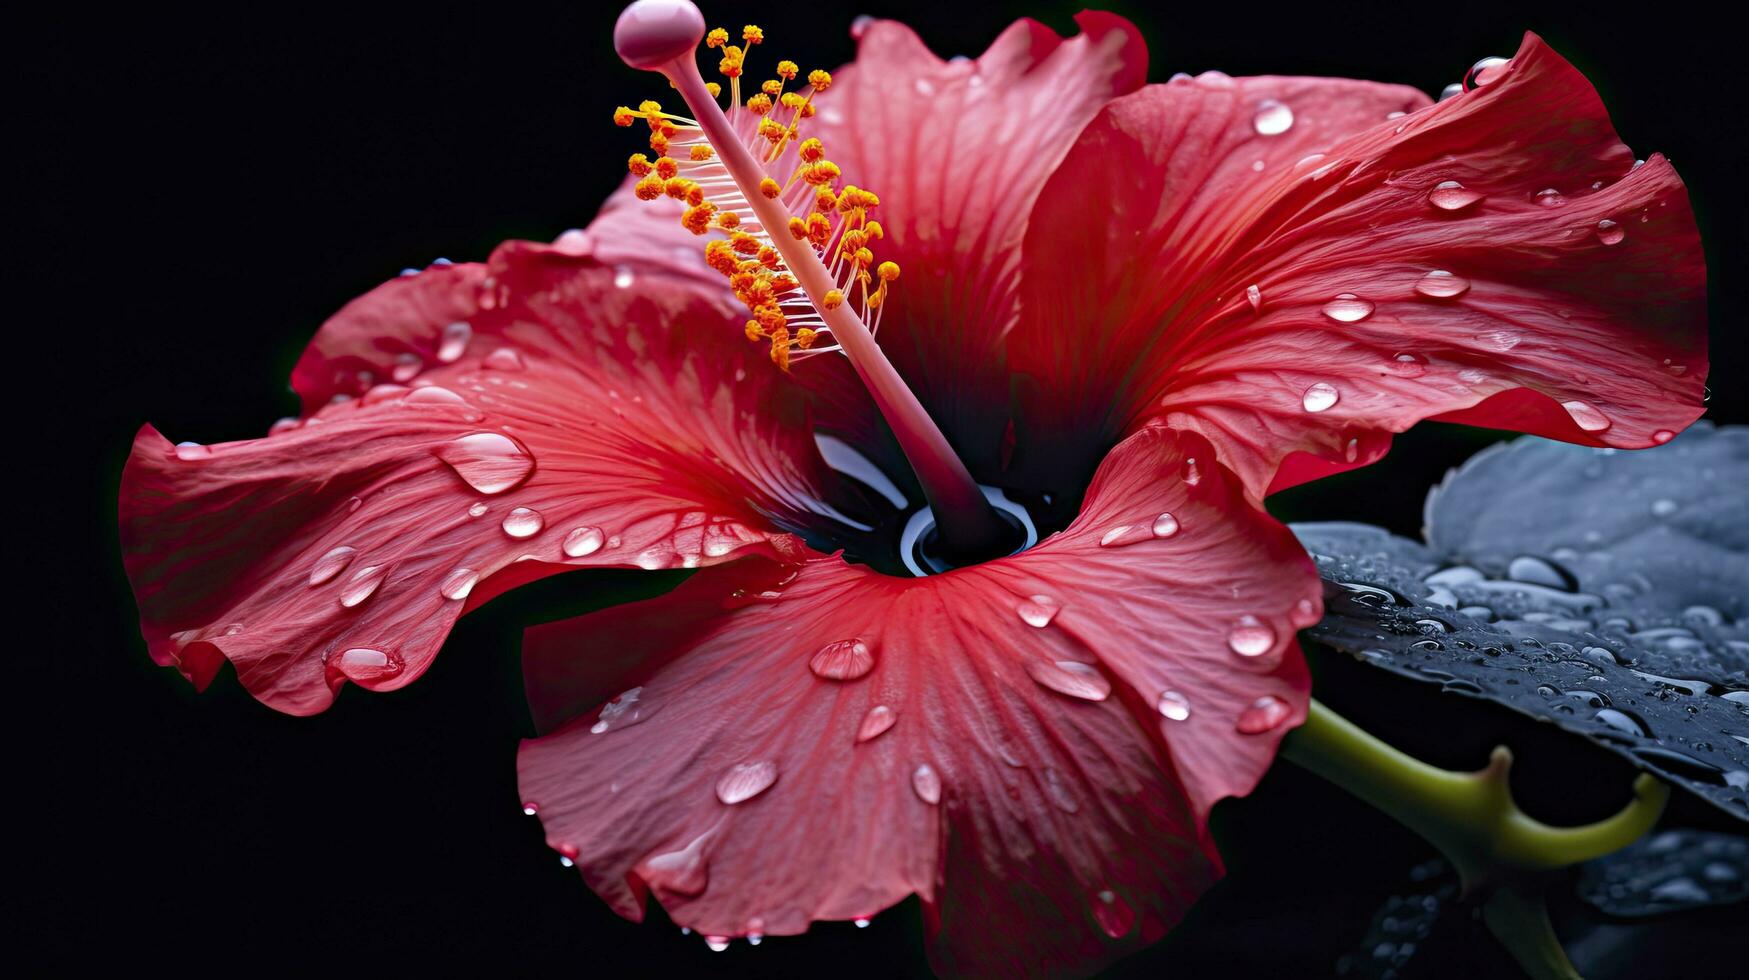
point(832, 220)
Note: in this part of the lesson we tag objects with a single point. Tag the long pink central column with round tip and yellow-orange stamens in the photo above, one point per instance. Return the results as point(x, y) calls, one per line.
point(798, 248)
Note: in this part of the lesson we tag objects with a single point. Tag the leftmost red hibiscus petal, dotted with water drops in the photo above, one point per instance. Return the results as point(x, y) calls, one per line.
point(578, 416)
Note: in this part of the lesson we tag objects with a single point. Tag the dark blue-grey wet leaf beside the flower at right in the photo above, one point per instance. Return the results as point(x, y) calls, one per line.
point(1596, 591)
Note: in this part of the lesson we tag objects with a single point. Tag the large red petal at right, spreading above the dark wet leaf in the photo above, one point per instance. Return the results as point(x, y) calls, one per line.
point(1418, 269)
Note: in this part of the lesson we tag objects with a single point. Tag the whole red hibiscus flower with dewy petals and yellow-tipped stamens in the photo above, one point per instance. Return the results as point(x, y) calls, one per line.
point(1124, 314)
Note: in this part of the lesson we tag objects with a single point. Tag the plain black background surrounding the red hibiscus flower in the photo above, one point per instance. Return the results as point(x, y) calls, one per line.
point(200, 192)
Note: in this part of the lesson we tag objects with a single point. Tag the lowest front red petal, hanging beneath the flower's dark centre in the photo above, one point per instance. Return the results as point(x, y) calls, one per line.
point(1031, 745)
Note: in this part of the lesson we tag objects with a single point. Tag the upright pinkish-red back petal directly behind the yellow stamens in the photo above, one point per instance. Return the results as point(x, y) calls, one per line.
point(958, 153)
